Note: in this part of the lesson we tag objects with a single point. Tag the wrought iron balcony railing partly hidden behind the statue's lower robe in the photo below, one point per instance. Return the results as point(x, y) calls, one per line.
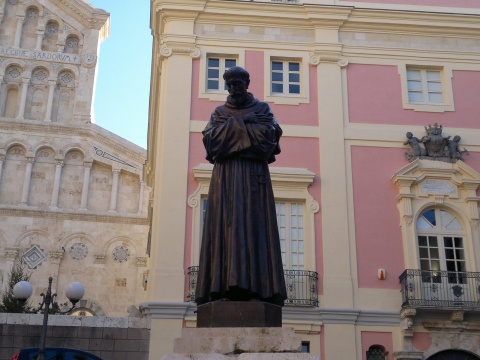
point(301, 286)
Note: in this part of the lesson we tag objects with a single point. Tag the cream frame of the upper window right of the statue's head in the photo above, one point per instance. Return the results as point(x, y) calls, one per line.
point(286, 98)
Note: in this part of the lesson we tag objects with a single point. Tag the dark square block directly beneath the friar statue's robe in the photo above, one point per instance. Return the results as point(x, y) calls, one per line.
point(235, 314)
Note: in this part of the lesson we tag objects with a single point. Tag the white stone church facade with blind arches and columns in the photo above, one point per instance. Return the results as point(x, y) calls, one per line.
point(73, 204)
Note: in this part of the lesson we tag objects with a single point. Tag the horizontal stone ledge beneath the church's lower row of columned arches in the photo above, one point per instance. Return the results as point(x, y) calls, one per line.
point(81, 216)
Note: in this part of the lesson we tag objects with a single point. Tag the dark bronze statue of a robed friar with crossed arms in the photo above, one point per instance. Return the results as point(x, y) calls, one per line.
point(240, 257)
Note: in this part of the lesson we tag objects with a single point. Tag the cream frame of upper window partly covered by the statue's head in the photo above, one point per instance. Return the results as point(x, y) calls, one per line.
point(216, 95)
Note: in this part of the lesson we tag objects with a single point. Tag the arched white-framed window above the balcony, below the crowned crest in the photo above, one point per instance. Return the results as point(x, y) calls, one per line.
point(441, 246)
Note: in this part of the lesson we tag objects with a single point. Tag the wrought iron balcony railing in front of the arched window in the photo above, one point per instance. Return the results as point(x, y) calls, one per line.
point(440, 289)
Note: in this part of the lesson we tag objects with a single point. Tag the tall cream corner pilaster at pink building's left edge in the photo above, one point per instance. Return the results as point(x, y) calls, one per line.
point(171, 98)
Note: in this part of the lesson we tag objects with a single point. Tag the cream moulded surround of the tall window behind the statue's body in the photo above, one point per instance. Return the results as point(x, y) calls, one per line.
point(289, 184)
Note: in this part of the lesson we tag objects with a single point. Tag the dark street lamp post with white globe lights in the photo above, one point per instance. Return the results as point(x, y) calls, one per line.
point(23, 290)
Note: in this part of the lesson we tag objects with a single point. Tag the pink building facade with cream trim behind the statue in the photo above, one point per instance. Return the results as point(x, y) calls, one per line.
point(379, 232)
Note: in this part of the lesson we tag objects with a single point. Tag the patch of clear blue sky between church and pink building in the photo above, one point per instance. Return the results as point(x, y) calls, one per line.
point(123, 81)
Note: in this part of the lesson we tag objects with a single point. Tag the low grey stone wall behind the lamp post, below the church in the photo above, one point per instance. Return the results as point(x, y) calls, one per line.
point(108, 338)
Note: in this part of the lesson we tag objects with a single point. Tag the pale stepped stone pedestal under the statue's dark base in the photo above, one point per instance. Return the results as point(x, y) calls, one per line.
point(238, 343)
